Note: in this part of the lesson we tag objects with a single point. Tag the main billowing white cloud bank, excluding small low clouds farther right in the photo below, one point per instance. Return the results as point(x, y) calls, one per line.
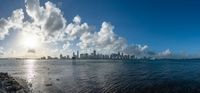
point(48, 22)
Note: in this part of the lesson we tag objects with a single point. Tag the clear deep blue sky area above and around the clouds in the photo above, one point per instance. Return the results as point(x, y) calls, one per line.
point(160, 24)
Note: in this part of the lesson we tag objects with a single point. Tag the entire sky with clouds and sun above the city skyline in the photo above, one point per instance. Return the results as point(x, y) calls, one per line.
point(158, 28)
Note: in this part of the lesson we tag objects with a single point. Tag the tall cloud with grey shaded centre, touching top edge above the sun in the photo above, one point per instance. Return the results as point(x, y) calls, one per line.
point(49, 19)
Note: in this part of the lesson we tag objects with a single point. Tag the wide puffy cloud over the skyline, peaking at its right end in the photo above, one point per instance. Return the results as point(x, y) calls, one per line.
point(105, 39)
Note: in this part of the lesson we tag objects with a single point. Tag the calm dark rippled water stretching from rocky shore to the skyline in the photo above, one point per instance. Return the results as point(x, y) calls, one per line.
point(106, 76)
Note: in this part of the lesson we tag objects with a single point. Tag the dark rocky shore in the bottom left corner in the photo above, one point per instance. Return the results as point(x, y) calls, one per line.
point(9, 84)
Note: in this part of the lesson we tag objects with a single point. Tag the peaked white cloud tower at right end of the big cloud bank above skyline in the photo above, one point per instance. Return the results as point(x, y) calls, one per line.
point(108, 40)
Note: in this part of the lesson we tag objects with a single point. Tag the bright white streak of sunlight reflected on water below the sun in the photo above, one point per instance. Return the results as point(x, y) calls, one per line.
point(30, 65)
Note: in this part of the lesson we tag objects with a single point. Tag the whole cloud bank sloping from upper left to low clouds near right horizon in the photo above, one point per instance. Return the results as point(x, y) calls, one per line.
point(49, 24)
